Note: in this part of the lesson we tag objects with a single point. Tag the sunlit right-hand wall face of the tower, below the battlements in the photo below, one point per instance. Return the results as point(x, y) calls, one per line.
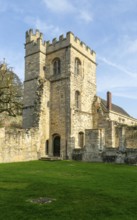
point(85, 84)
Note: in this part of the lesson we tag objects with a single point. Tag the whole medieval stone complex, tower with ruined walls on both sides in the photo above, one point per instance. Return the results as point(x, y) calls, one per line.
point(62, 115)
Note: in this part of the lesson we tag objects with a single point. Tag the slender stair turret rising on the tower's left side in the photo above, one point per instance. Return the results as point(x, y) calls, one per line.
point(35, 57)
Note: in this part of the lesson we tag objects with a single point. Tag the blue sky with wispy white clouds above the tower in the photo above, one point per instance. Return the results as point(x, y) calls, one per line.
point(107, 27)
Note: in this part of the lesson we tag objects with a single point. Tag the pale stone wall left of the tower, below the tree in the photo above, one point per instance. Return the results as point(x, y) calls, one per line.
point(19, 145)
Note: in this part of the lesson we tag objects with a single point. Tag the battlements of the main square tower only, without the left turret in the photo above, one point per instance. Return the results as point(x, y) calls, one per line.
point(72, 40)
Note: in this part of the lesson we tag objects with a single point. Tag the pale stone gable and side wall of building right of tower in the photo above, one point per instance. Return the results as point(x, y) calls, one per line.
point(113, 124)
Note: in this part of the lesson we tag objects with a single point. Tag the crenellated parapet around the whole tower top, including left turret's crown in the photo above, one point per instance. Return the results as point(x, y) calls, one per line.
point(35, 39)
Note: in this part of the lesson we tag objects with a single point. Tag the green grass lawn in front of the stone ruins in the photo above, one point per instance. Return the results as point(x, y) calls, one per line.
point(79, 191)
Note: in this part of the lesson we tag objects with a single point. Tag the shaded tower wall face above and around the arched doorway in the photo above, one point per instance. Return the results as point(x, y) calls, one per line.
point(59, 104)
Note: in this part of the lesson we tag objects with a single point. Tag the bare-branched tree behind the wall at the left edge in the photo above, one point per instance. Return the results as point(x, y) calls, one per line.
point(11, 91)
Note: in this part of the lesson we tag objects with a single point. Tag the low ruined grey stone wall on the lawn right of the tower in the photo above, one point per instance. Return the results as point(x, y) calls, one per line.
point(95, 149)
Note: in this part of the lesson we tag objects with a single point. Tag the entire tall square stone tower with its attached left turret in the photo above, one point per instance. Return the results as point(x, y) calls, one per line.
point(68, 70)
